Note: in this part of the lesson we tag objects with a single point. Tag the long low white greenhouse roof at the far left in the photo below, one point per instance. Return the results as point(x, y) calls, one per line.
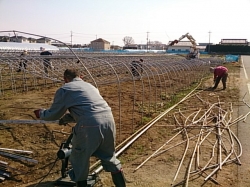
point(26, 46)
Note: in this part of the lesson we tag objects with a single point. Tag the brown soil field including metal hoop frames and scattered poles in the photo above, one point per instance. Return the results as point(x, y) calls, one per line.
point(136, 103)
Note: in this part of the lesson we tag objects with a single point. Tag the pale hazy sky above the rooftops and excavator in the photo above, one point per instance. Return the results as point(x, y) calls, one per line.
point(112, 20)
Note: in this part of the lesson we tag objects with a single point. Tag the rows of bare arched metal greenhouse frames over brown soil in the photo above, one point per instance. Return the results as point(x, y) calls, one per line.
point(159, 80)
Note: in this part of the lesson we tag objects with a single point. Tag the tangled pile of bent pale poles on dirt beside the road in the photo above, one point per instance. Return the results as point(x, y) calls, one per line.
point(209, 138)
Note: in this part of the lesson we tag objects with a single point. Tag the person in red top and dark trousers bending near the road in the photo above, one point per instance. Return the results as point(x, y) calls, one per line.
point(220, 73)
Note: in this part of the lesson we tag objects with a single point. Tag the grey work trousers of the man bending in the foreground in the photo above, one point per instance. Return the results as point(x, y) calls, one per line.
point(93, 136)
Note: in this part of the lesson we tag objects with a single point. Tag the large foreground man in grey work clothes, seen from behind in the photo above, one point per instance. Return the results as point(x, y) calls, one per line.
point(94, 132)
